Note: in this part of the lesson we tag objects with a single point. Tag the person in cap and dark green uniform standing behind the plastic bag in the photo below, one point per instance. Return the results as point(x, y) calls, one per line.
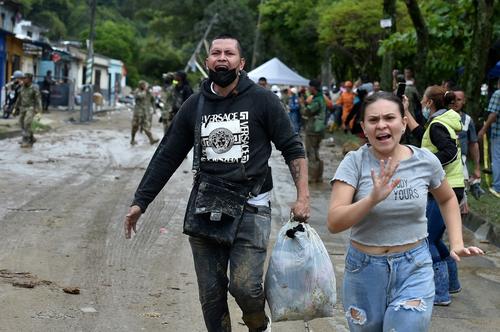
point(314, 112)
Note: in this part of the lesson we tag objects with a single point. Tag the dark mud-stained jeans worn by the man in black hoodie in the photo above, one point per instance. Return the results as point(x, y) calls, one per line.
point(246, 259)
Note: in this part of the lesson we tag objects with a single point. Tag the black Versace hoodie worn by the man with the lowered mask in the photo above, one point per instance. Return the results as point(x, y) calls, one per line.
point(236, 130)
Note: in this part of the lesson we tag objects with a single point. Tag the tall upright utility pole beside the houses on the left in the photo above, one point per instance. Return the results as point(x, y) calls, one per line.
point(86, 110)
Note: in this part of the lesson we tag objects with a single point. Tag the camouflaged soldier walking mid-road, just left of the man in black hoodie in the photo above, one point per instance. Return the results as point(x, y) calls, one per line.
point(144, 102)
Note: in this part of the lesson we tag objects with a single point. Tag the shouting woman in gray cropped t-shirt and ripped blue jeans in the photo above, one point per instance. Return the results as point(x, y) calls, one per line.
point(380, 193)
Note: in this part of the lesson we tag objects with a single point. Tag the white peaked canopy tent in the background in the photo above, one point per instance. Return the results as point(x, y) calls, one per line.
point(276, 72)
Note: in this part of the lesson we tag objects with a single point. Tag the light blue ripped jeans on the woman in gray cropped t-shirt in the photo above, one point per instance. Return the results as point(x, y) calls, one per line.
point(377, 289)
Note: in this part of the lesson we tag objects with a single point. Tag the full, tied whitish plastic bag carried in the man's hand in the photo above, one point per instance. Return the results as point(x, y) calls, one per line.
point(300, 283)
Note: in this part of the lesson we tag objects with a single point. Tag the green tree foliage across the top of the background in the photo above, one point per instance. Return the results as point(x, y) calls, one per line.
point(154, 36)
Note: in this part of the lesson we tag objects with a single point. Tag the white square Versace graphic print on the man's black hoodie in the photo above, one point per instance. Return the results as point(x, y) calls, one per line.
point(225, 137)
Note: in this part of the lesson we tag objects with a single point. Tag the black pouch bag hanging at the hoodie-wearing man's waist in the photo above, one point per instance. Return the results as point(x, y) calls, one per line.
point(215, 209)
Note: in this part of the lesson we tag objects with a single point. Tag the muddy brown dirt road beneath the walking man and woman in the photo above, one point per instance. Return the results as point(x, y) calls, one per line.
point(66, 266)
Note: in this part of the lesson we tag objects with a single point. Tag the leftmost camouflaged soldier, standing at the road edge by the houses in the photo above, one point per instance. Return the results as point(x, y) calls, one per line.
point(29, 103)
